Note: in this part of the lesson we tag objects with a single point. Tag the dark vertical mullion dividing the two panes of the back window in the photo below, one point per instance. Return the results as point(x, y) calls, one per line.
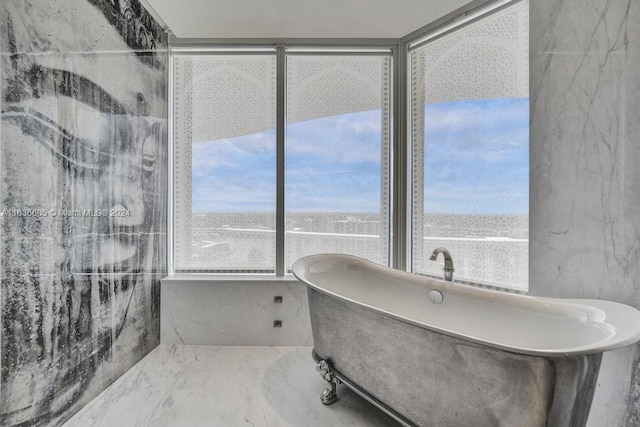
point(280, 152)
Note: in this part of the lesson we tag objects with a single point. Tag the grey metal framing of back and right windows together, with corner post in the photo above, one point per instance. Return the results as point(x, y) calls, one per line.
point(400, 230)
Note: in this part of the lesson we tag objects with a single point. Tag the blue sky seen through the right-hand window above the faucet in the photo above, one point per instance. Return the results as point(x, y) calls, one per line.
point(477, 157)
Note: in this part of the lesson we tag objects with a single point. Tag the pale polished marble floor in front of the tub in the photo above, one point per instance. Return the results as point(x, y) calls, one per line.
point(178, 385)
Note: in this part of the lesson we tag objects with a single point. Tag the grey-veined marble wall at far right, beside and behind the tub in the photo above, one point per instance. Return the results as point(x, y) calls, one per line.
point(585, 179)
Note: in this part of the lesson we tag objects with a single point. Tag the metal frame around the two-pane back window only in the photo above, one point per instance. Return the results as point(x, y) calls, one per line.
point(281, 48)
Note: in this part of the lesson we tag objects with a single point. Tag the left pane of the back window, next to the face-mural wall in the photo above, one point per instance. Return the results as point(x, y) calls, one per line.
point(225, 164)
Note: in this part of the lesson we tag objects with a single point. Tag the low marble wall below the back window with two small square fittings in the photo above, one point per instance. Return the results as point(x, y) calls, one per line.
point(234, 312)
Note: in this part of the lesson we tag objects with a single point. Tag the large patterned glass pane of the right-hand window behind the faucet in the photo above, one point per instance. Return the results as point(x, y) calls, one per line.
point(470, 130)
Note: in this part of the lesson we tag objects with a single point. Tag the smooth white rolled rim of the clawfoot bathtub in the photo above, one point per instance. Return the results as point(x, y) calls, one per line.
point(618, 313)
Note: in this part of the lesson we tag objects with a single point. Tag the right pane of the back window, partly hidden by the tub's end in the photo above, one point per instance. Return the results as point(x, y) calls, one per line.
point(337, 155)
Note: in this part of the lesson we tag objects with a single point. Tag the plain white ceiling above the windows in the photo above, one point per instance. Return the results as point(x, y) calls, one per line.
point(299, 18)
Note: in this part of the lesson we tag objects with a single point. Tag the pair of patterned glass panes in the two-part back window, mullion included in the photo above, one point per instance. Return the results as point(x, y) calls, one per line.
point(335, 168)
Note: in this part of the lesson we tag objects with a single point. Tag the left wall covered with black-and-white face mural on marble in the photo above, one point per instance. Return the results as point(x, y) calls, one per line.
point(83, 200)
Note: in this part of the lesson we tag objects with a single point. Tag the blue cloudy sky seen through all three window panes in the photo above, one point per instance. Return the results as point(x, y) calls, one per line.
point(476, 161)
